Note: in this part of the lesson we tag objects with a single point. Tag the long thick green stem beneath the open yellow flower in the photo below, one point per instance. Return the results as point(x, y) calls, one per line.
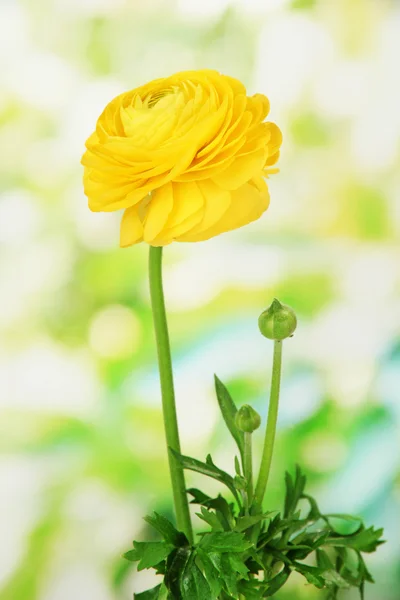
point(167, 391)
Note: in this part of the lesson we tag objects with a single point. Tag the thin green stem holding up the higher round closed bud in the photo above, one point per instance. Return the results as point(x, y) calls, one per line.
point(271, 427)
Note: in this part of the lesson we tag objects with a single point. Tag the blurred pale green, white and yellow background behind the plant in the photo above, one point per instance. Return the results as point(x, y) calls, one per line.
point(83, 455)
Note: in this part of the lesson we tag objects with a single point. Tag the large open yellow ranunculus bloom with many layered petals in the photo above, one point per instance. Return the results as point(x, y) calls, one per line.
point(185, 156)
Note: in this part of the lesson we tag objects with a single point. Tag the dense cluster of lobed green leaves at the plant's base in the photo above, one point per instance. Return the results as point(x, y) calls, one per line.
point(227, 561)
